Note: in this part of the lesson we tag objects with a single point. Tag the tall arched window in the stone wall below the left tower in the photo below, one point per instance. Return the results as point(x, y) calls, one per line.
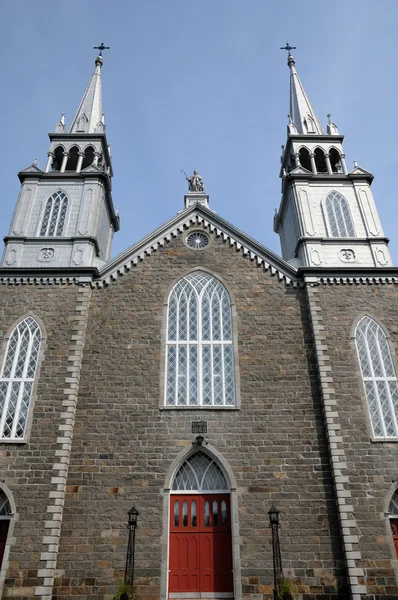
point(17, 378)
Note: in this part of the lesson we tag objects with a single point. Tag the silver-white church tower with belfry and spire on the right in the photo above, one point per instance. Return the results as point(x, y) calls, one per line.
point(327, 216)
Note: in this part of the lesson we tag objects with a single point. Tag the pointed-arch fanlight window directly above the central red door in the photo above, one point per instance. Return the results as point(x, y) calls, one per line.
point(199, 473)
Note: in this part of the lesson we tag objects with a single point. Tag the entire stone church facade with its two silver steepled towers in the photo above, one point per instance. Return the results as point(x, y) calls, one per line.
point(201, 378)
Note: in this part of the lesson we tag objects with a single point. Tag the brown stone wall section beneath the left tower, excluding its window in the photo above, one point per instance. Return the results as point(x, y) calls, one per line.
point(26, 468)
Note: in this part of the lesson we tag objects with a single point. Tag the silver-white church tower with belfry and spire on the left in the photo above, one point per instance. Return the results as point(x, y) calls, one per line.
point(64, 215)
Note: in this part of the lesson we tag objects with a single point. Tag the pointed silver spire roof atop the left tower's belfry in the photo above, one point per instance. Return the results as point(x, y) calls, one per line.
point(89, 116)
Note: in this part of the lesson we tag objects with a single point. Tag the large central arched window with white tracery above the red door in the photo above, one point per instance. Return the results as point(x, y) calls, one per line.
point(200, 355)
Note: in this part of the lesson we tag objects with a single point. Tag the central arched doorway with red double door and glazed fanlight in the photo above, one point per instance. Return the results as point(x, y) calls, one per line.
point(200, 543)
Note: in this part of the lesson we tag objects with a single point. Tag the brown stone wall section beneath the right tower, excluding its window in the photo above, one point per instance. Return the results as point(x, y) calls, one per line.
point(372, 466)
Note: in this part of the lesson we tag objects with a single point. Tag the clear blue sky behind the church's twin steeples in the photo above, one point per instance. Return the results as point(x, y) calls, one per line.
point(200, 84)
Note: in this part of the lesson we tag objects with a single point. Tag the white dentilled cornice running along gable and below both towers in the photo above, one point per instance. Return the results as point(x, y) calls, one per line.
point(203, 217)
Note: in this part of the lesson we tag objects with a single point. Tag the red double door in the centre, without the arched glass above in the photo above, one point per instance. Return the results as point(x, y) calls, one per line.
point(200, 544)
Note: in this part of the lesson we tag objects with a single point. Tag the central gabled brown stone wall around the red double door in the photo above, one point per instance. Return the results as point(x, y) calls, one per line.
point(124, 443)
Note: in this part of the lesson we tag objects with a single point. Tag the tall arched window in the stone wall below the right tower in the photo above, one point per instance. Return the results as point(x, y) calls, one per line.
point(379, 377)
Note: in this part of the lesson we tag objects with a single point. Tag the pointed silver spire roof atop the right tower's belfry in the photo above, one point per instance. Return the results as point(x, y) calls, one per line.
point(301, 112)
